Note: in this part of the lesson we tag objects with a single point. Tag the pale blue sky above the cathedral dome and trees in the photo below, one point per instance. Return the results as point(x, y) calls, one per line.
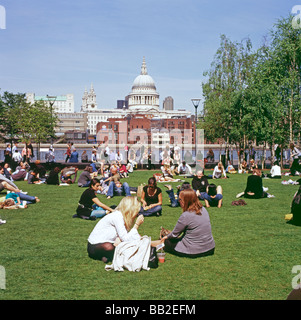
point(58, 47)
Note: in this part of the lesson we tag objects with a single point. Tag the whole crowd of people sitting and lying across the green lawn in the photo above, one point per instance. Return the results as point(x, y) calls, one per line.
point(121, 223)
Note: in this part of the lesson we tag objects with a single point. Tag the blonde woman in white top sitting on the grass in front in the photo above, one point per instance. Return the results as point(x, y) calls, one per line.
point(117, 226)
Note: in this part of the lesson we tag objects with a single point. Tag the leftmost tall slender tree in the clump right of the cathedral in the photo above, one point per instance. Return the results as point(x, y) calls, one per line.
point(223, 92)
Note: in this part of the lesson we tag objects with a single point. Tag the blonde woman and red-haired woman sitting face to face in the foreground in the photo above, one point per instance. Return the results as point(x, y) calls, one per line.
point(123, 223)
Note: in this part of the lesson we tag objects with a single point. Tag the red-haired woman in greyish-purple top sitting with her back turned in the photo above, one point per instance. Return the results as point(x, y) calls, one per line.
point(194, 223)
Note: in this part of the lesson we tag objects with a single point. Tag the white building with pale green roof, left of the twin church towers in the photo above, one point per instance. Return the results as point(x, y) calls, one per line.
point(59, 104)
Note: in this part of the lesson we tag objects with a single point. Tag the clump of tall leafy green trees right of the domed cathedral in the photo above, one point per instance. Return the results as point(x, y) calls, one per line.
point(255, 96)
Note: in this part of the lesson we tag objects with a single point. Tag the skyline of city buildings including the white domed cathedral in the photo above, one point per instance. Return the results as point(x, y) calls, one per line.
point(143, 100)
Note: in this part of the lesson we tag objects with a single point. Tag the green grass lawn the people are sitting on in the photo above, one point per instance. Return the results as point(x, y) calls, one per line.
point(43, 250)
